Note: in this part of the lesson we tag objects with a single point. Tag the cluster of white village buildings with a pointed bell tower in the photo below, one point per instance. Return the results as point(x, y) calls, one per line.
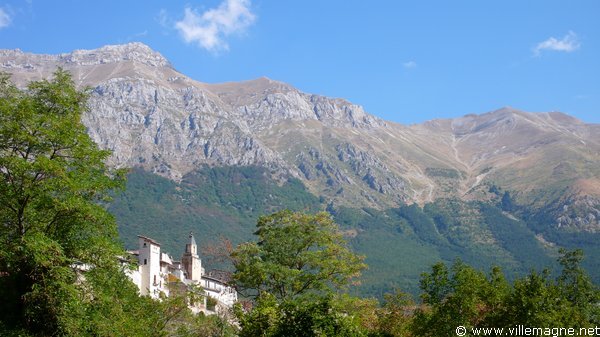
point(156, 270)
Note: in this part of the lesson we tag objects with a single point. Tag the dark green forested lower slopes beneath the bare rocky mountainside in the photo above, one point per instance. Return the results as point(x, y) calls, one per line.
point(399, 244)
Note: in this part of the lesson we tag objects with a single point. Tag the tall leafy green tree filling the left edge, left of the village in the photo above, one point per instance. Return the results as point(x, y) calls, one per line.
point(59, 272)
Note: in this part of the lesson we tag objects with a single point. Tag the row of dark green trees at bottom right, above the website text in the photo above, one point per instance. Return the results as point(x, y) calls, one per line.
point(463, 296)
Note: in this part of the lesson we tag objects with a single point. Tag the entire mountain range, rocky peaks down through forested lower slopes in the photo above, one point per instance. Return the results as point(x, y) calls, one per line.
point(506, 187)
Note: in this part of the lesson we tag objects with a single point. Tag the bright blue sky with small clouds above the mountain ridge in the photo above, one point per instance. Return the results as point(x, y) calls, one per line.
point(405, 61)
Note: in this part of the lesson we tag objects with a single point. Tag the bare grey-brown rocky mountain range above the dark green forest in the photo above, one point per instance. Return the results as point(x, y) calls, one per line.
point(542, 169)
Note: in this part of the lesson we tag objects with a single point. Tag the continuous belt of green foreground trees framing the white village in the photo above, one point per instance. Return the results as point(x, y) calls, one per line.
point(60, 274)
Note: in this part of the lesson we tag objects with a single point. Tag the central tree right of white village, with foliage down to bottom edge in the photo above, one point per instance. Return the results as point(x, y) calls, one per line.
point(294, 272)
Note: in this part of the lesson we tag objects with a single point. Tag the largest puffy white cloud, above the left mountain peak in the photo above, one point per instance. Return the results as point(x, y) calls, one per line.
point(209, 29)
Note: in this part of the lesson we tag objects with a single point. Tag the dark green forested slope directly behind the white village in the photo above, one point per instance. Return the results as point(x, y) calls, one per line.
point(212, 202)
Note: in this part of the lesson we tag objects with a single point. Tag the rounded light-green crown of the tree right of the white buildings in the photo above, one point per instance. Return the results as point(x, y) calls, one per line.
point(296, 254)
